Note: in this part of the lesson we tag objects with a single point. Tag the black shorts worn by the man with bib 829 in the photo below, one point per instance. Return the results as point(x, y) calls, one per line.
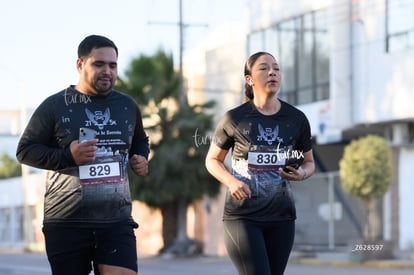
point(75, 250)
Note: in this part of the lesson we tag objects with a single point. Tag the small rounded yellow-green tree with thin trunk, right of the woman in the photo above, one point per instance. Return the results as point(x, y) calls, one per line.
point(365, 172)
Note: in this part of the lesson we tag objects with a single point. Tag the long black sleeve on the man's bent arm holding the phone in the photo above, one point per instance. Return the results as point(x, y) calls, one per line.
point(38, 147)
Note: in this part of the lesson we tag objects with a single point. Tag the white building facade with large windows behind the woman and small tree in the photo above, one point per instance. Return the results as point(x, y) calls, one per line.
point(347, 64)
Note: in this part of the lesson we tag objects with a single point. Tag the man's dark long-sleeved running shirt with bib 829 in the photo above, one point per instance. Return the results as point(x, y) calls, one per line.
point(96, 193)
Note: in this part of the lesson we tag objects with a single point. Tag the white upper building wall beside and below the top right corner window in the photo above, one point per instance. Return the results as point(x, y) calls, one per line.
point(383, 82)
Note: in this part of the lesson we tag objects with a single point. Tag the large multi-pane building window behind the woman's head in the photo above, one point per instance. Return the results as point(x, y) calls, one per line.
point(301, 46)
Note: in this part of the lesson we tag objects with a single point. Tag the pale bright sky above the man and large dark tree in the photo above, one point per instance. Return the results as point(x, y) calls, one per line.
point(39, 39)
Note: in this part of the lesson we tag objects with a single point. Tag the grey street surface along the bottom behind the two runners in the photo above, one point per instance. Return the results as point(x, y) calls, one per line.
point(36, 264)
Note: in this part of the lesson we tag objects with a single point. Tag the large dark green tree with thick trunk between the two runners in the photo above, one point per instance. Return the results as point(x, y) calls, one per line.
point(177, 175)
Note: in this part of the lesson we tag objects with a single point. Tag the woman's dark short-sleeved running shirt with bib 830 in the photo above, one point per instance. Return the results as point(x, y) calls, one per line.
point(260, 145)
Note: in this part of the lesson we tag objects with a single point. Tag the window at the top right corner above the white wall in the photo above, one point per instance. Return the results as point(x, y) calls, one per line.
point(400, 25)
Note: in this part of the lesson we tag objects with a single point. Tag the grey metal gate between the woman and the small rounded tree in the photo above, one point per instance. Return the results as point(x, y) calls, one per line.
point(328, 217)
